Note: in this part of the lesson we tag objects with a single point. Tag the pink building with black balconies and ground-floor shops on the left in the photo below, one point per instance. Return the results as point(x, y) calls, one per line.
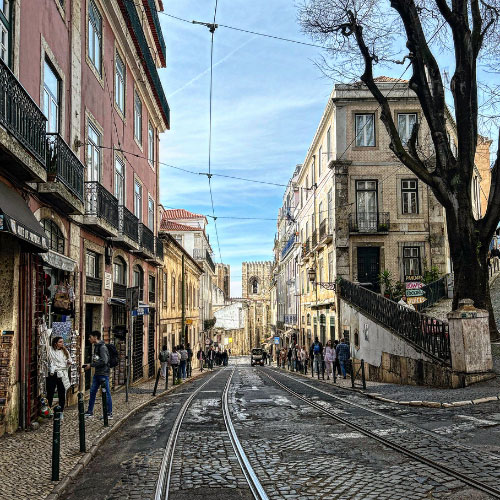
point(78, 216)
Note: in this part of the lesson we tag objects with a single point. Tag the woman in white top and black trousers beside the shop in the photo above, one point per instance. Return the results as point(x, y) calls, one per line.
point(57, 376)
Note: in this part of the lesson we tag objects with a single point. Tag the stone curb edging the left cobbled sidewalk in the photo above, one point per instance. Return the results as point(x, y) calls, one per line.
point(85, 459)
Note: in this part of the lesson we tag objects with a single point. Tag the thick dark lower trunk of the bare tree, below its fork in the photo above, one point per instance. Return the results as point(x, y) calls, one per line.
point(469, 256)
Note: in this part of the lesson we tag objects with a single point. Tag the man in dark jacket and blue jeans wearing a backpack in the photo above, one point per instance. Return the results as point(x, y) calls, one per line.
point(100, 363)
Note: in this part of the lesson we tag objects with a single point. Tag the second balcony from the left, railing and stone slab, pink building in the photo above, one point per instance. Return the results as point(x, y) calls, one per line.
point(64, 186)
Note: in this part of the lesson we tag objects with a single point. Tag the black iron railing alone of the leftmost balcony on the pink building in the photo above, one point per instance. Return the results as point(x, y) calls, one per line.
point(21, 116)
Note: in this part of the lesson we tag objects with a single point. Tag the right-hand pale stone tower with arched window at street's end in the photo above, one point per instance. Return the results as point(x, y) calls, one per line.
point(255, 284)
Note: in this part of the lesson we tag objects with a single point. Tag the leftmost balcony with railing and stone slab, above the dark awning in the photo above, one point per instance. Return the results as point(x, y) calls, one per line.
point(22, 131)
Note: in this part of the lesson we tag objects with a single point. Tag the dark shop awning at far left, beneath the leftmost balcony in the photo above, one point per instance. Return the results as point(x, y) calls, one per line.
point(16, 218)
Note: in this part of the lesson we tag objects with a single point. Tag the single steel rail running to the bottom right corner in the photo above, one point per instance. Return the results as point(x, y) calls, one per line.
point(416, 456)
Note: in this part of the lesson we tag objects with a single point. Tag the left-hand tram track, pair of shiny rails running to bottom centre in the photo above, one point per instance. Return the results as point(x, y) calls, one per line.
point(164, 477)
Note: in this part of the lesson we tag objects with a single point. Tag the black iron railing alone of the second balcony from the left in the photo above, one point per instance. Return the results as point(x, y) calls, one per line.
point(63, 165)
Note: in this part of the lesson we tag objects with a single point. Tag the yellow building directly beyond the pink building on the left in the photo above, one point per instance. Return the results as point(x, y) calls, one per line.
point(170, 303)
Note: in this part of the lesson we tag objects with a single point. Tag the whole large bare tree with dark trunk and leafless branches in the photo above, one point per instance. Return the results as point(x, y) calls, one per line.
point(361, 34)
